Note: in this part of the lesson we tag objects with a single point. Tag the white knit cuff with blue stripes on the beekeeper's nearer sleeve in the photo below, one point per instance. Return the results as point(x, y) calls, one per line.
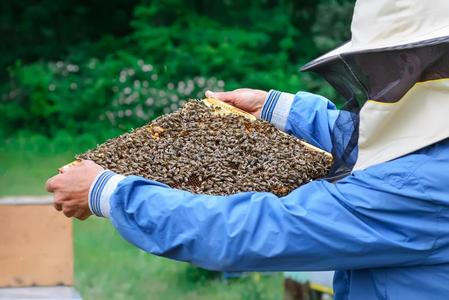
point(101, 190)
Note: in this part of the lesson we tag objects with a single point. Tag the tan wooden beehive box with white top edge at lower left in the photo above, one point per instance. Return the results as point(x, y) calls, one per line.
point(36, 244)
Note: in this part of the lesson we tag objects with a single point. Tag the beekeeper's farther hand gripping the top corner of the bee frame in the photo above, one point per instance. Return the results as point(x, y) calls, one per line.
point(248, 100)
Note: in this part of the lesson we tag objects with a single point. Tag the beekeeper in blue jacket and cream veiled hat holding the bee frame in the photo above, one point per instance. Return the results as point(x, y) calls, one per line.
point(382, 221)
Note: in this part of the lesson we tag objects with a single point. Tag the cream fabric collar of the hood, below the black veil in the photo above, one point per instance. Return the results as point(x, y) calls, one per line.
point(391, 130)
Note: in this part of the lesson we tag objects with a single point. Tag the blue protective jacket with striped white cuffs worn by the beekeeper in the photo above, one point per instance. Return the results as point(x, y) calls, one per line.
point(384, 229)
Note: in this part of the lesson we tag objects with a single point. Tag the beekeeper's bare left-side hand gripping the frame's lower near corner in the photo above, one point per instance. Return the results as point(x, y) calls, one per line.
point(71, 188)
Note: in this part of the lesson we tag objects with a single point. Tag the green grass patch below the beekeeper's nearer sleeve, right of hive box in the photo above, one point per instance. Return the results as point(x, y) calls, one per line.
point(107, 267)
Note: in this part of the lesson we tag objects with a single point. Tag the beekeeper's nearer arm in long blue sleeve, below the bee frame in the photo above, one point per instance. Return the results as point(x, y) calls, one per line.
point(363, 221)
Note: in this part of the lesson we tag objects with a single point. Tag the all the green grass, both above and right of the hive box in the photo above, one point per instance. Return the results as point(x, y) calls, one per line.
point(106, 266)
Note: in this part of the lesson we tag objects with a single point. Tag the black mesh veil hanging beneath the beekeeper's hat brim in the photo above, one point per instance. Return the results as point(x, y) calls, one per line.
point(383, 75)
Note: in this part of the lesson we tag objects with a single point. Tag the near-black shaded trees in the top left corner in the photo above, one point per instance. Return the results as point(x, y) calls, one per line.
point(46, 29)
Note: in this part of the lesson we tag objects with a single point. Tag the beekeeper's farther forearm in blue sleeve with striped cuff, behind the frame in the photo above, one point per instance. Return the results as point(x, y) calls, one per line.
point(305, 115)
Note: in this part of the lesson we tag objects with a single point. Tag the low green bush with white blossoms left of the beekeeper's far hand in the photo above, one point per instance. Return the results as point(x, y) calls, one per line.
point(103, 98)
